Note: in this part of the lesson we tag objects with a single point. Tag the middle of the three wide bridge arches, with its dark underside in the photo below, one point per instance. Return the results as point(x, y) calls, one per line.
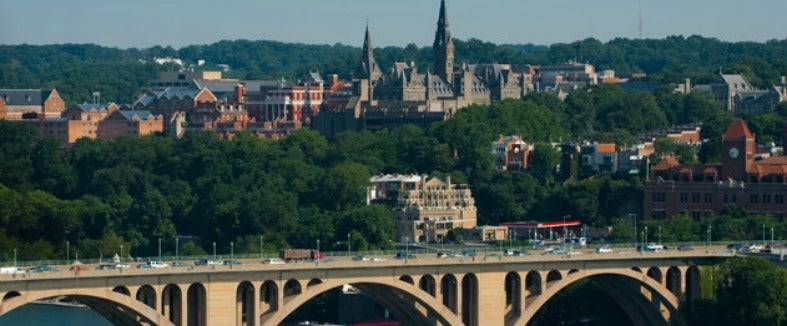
point(399, 296)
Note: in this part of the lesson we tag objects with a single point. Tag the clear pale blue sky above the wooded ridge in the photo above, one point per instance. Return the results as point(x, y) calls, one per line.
point(177, 23)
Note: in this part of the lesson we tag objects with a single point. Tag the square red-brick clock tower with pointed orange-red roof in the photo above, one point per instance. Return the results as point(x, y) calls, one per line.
point(737, 151)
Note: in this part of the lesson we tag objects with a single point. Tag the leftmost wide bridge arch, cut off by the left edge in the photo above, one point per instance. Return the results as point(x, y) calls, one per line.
point(116, 307)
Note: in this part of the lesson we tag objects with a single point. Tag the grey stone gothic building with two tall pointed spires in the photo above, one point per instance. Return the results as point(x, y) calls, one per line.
point(405, 95)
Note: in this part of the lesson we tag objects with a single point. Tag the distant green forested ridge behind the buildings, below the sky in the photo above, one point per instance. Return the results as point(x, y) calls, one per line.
point(77, 70)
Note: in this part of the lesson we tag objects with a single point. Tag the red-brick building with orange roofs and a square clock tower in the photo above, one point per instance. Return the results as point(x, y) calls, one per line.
point(758, 185)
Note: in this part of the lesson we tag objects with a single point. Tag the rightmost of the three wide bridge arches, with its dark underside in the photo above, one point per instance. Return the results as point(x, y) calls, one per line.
point(623, 285)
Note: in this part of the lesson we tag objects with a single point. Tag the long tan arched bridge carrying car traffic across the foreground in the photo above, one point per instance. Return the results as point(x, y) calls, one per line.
point(481, 291)
